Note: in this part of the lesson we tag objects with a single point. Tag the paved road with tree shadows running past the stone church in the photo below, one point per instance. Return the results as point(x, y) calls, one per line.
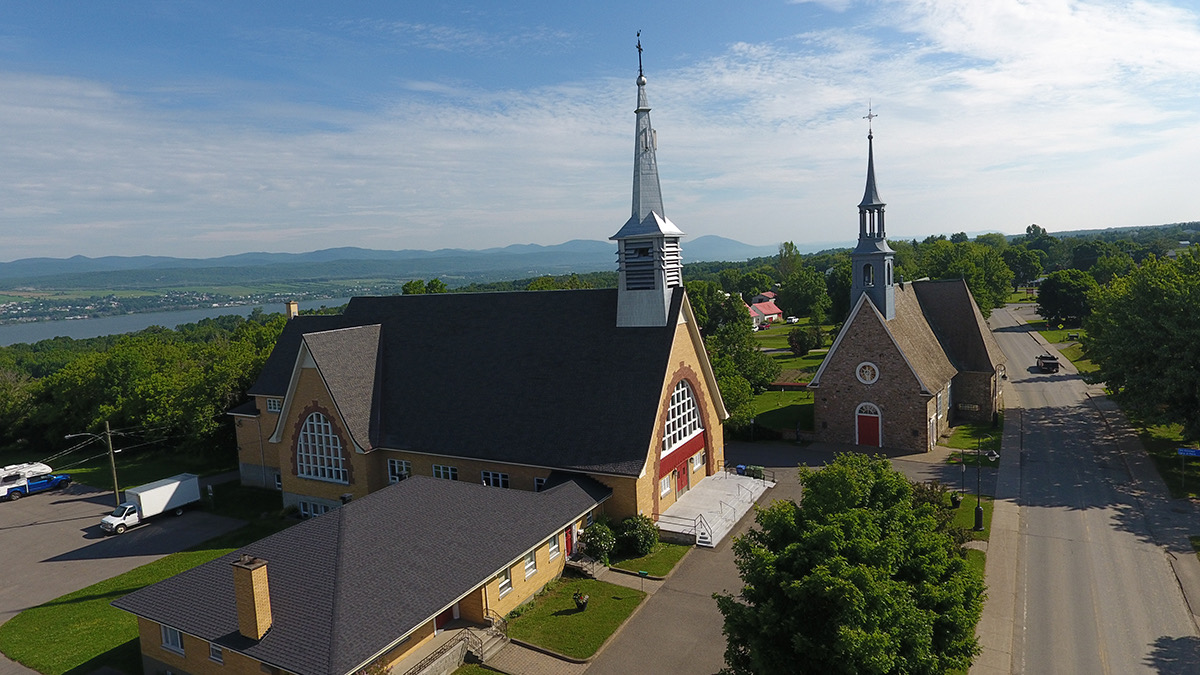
point(1095, 594)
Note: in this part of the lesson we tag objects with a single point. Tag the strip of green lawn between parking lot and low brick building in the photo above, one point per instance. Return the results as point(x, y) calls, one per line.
point(80, 632)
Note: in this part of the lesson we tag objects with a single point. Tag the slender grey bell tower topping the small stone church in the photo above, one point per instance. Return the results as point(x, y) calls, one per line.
point(873, 259)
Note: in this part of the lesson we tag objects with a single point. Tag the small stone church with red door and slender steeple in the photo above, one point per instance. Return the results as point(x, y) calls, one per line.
point(911, 357)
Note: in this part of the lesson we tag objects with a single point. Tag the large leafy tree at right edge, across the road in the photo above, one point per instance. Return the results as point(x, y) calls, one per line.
point(1144, 334)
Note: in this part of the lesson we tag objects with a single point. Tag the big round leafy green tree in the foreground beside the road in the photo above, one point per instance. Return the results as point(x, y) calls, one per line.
point(859, 578)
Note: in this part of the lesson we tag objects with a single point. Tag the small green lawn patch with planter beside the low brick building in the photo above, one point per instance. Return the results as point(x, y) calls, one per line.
point(555, 624)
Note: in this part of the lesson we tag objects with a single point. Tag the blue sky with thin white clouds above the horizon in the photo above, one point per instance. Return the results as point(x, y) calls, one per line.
point(209, 128)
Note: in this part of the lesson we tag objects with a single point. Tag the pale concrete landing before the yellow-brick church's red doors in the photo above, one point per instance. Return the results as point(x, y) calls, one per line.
point(707, 513)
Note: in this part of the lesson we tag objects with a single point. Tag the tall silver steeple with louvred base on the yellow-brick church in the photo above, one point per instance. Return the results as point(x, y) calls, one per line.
point(649, 244)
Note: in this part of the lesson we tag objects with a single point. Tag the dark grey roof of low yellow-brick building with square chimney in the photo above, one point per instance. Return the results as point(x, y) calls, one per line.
point(350, 584)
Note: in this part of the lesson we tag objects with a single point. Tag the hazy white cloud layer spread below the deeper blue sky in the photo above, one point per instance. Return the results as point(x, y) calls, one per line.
point(994, 115)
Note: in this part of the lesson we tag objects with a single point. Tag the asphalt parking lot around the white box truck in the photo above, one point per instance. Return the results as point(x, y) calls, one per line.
point(51, 545)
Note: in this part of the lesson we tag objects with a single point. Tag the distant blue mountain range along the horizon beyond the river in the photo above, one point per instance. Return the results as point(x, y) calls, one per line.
point(515, 261)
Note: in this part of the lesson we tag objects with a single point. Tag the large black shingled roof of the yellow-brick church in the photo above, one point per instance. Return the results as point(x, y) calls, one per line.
point(532, 378)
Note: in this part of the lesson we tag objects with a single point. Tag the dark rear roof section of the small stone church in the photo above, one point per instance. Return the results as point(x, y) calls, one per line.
point(959, 325)
